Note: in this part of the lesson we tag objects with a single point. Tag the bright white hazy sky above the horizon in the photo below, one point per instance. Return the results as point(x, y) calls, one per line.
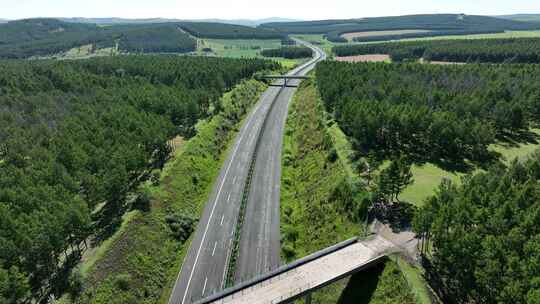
point(253, 9)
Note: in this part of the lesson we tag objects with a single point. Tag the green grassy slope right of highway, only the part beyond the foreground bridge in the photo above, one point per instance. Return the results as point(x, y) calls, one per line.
point(312, 218)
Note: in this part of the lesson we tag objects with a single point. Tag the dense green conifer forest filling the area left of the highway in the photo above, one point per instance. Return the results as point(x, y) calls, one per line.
point(76, 137)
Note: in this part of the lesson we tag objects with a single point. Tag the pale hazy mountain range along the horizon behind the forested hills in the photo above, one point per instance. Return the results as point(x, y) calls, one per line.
point(105, 21)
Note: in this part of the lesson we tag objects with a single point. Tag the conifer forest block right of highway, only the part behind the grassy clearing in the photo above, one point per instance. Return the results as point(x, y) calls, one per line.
point(434, 113)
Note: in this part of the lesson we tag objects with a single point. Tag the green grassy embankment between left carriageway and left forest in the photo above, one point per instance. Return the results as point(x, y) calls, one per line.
point(140, 262)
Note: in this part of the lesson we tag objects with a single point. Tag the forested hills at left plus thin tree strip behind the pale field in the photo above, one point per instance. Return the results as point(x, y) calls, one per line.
point(45, 36)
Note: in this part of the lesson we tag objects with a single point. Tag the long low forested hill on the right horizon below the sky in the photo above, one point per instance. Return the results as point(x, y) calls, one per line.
point(449, 23)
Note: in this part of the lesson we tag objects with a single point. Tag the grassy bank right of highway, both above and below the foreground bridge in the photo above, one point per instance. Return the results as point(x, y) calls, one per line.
point(316, 206)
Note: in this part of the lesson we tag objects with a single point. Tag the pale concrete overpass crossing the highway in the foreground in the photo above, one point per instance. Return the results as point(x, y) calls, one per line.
point(302, 277)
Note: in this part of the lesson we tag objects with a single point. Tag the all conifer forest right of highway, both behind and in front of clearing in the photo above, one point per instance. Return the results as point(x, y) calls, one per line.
point(480, 238)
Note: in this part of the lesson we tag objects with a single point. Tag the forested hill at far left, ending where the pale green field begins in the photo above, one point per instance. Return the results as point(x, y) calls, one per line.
point(41, 37)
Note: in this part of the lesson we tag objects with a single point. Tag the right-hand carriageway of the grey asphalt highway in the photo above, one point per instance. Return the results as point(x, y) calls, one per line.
point(260, 241)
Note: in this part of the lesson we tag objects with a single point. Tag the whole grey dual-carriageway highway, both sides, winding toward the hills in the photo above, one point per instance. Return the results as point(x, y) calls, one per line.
point(205, 265)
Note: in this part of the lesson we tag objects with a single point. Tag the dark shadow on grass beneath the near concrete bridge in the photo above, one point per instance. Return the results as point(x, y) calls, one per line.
point(361, 286)
